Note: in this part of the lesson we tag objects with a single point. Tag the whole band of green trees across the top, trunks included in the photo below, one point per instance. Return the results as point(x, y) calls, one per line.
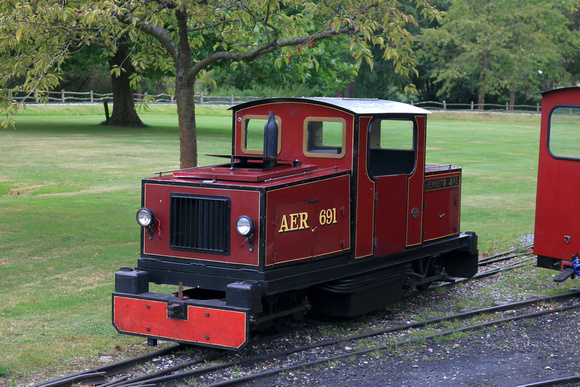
point(458, 50)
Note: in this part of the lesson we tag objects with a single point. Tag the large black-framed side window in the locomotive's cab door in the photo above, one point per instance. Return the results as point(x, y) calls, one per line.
point(391, 147)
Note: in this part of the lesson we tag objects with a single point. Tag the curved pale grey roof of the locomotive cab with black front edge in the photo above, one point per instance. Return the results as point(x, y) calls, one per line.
point(358, 106)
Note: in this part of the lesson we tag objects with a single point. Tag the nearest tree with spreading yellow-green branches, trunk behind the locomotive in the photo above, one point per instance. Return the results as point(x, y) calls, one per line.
point(185, 37)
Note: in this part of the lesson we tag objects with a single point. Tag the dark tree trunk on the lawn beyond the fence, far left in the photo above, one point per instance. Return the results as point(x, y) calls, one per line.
point(124, 113)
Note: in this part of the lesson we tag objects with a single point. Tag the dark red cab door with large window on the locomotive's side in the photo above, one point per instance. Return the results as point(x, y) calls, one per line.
point(396, 162)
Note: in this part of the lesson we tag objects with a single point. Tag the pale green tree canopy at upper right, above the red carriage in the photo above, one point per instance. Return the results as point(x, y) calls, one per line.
point(498, 45)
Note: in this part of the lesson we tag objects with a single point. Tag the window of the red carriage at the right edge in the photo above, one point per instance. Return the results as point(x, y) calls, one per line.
point(564, 135)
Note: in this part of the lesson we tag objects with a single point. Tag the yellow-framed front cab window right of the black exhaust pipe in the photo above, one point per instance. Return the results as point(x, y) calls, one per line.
point(324, 137)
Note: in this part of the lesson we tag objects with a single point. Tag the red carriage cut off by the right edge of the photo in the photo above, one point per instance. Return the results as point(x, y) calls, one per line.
point(557, 232)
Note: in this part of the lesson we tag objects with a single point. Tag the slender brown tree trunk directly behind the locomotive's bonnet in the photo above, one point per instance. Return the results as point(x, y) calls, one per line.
point(184, 94)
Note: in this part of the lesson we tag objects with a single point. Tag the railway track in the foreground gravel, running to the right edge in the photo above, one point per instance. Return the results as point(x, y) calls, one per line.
point(225, 362)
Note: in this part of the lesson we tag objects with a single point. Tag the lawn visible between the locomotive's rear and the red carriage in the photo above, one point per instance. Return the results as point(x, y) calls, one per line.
point(499, 162)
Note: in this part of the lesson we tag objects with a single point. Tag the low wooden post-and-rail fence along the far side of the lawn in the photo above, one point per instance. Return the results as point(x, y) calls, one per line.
point(72, 97)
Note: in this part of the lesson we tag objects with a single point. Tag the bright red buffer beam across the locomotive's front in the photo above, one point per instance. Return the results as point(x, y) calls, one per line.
point(208, 326)
